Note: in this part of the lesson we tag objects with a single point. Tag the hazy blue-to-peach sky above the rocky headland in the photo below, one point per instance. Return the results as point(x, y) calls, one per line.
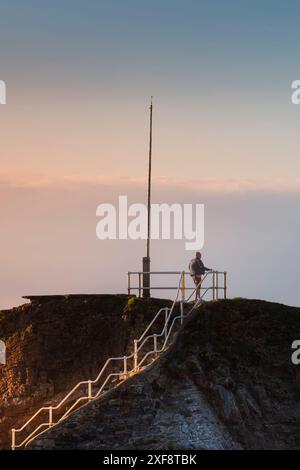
point(74, 134)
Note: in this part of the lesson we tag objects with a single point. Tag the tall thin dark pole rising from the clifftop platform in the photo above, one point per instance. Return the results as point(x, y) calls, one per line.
point(146, 259)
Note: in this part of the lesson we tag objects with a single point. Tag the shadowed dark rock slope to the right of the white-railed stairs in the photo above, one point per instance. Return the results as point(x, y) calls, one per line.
point(227, 382)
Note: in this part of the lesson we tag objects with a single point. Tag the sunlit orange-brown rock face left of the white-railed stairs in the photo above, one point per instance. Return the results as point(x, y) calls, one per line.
point(56, 341)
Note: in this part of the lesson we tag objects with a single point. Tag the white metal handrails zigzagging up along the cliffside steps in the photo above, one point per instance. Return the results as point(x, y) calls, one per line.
point(124, 372)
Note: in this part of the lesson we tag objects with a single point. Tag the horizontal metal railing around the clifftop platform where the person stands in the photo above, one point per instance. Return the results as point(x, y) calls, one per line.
point(219, 282)
